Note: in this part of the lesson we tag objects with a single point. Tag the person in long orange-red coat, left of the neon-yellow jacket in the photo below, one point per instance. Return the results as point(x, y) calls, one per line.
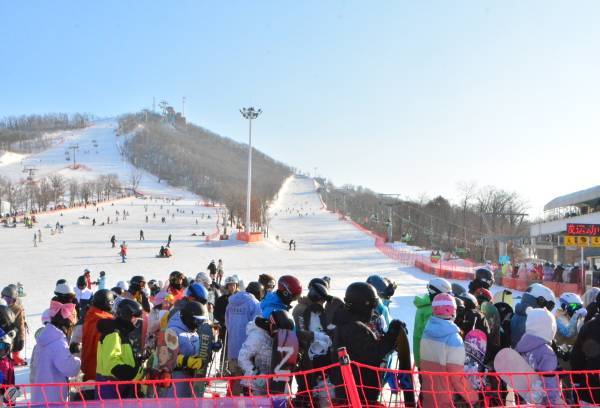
point(101, 308)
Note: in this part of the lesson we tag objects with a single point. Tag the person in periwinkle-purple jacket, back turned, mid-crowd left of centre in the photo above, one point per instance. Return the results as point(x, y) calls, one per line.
point(242, 308)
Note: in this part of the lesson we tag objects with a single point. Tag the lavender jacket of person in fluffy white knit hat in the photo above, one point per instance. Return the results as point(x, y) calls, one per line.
point(540, 356)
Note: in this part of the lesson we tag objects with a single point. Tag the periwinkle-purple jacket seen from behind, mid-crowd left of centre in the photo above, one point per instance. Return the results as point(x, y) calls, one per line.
point(242, 309)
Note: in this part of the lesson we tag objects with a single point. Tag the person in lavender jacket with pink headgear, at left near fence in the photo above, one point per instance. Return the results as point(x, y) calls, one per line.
point(52, 361)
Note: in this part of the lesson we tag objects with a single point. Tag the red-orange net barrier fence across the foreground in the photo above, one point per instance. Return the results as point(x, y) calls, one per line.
point(343, 384)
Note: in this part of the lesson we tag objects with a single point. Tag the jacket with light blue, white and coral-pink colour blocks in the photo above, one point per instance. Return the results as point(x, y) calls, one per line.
point(442, 350)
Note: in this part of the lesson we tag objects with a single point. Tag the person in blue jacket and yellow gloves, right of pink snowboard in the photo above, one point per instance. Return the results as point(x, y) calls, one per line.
point(185, 324)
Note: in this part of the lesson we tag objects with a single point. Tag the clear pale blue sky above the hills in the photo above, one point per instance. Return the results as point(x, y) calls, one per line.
point(402, 97)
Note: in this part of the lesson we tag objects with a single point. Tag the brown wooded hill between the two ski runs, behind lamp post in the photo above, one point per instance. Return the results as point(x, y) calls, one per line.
point(206, 163)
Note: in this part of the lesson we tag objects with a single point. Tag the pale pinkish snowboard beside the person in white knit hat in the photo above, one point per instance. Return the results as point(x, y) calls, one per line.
point(523, 379)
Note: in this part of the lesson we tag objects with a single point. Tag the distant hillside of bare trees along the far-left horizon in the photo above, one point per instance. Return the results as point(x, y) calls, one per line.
point(25, 134)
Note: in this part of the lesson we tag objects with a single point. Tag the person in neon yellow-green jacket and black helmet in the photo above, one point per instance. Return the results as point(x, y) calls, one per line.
point(115, 358)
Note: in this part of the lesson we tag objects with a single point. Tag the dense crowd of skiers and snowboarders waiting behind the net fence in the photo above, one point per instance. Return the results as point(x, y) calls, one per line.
point(92, 333)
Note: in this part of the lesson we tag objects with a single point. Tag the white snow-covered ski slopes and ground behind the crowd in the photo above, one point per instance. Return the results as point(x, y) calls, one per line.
point(325, 245)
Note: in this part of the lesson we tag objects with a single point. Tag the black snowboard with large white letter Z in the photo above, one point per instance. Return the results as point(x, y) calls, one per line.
point(284, 359)
